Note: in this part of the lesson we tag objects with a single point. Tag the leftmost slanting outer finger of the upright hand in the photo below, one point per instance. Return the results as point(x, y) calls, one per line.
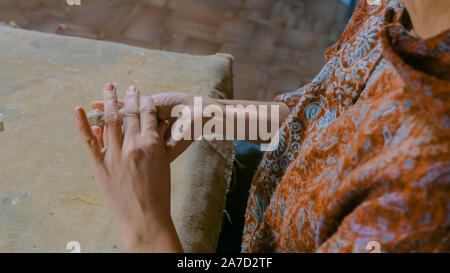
point(88, 137)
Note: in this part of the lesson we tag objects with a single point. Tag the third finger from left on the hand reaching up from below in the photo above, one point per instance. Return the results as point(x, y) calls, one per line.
point(131, 124)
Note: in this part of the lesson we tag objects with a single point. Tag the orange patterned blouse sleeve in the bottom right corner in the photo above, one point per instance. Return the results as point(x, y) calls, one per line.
point(412, 220)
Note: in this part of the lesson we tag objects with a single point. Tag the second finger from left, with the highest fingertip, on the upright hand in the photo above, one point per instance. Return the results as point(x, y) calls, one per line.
point(113, 124)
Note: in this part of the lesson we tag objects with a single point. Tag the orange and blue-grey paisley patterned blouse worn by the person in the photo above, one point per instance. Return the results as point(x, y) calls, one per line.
point(364, 155)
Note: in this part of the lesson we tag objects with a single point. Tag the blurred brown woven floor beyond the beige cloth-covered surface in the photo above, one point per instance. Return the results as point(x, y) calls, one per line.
point(278, 45)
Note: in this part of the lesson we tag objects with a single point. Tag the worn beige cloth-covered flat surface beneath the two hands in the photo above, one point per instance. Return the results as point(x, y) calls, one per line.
point(48, 195)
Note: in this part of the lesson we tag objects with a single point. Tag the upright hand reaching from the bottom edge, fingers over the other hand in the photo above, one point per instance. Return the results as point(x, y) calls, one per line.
point(133, 170)
